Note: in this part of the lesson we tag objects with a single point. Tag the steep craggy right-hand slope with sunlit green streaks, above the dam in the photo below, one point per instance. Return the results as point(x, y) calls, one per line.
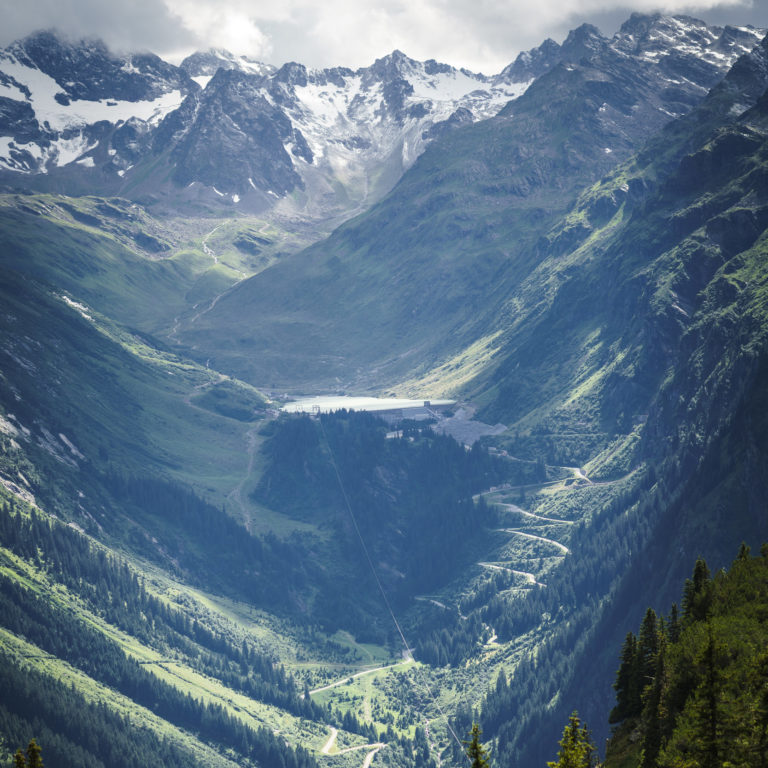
point(589, 337)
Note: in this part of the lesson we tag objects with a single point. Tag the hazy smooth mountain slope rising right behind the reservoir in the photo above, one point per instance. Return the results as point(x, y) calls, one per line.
point(424, 273)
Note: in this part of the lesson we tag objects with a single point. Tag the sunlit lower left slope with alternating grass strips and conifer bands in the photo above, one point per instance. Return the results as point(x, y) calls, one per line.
point(147, 667)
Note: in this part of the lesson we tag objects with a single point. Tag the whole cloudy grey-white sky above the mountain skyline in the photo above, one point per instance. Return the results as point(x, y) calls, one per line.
point(482, 35)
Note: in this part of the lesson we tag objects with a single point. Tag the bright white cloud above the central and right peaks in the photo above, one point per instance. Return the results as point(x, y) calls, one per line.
point(479, 34)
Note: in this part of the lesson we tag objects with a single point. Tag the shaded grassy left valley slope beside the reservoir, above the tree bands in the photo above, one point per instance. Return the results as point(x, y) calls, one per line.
point(81, 398)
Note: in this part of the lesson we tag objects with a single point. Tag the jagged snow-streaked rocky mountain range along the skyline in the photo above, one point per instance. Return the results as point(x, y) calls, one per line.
point(229, 131)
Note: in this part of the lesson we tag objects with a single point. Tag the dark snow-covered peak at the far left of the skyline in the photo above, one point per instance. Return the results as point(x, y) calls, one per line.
point(57, 92)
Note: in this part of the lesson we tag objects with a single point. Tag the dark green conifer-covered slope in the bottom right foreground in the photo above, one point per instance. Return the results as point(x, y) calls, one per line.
point(692, 689)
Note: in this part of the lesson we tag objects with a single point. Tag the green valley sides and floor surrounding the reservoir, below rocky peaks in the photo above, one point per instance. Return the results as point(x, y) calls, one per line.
point(228, 579)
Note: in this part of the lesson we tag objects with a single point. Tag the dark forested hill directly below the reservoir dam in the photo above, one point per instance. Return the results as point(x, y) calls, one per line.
point(410, 497)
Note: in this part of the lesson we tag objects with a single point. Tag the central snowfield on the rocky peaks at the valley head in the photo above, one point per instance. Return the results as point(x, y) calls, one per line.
point(355, 123)
